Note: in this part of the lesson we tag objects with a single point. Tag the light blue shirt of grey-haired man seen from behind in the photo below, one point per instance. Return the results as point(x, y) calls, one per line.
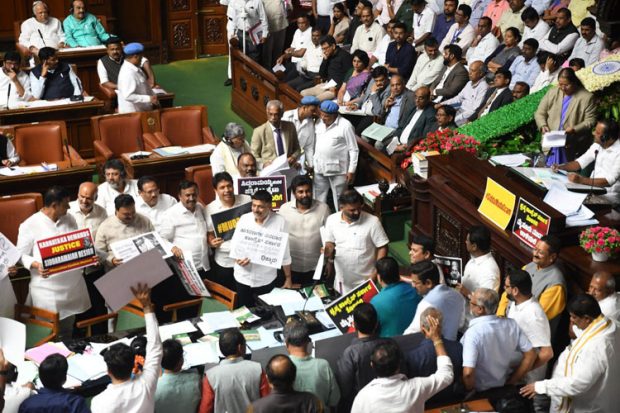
point(489, 346)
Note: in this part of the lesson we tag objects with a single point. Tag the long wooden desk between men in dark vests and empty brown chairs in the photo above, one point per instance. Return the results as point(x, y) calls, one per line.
point(76, 116)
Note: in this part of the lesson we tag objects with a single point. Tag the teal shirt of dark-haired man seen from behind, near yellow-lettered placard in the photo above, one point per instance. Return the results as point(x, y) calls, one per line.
point(396, 305)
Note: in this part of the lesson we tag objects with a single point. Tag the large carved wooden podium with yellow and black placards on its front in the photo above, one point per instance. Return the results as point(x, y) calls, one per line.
point(446, 205)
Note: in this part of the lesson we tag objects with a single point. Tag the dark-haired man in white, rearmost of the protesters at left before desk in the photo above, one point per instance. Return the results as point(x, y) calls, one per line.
point(116, 183)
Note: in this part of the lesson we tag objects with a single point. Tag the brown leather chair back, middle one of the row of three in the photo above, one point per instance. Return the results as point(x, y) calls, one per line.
point(121, 133)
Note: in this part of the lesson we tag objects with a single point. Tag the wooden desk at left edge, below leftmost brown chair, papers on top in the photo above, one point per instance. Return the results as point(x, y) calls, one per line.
point(67, 177)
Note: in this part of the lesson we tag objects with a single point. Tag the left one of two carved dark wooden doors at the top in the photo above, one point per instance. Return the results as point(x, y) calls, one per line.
point(182, 27)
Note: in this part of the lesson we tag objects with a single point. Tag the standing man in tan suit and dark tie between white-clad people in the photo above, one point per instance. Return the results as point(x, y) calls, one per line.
point(275, 137)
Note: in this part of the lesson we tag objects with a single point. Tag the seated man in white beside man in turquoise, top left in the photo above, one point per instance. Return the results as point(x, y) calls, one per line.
point(41, 30)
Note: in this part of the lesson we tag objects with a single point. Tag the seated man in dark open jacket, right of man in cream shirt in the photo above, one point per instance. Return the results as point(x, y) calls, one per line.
point(454, 76)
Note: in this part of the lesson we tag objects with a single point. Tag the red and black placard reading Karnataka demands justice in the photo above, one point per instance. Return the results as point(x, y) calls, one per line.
point(67, 251)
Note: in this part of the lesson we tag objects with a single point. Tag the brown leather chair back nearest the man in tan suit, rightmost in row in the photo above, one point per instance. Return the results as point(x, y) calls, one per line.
point(183, 125)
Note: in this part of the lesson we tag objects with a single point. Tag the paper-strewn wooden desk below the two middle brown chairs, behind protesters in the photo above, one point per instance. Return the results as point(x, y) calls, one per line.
point(169, 171)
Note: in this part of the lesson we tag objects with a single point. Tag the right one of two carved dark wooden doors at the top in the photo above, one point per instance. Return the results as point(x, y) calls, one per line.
point(212, 24)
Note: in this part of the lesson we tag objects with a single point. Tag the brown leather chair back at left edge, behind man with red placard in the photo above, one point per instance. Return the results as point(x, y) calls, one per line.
point(15, 209)
